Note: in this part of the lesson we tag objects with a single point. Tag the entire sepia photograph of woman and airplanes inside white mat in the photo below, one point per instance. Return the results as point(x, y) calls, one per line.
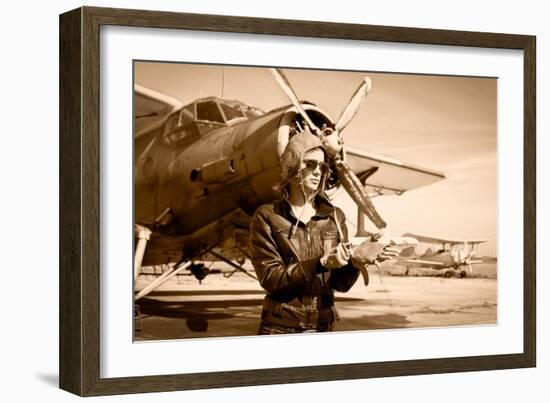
point(274, 201)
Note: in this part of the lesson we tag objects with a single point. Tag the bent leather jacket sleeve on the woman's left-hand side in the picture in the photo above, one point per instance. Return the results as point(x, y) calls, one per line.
point(274, 275)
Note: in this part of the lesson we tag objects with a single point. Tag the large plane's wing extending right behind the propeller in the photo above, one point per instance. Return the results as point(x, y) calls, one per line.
point(385, 175)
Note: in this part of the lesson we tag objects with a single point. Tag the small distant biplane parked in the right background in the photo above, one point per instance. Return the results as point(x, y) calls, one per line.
point(449, 254)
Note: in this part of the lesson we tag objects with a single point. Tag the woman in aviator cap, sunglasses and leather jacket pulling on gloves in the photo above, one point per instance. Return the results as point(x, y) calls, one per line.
point(299, 246)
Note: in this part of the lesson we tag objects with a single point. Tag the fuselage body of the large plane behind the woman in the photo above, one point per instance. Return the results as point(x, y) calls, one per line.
point(203, 177)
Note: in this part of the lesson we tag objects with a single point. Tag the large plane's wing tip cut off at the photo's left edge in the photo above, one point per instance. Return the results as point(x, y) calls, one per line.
point(151, 108)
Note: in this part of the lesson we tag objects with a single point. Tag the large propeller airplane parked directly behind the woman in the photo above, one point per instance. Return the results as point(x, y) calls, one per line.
point(202, 169)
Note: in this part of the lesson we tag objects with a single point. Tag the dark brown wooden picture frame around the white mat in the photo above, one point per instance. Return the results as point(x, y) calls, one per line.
point(80, 154)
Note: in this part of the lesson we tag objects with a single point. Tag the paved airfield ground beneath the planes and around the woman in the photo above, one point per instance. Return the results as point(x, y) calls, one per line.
point(183, 308)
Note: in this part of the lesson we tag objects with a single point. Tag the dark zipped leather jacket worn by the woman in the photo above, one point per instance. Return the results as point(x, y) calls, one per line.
point(300, 291)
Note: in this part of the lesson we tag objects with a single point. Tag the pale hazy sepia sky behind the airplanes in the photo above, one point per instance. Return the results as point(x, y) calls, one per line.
point(443, 123)
